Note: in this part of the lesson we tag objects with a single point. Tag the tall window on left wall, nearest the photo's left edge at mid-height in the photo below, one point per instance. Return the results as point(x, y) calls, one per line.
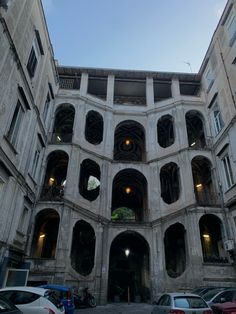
point(15, 123)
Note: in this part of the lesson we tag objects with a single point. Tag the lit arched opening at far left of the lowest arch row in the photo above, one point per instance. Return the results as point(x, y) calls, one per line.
point(45, 234)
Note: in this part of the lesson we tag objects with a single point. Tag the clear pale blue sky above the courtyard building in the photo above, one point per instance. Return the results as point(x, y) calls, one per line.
point(151, 35)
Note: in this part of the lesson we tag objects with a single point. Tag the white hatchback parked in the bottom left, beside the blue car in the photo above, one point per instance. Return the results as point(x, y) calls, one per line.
point(32, 300)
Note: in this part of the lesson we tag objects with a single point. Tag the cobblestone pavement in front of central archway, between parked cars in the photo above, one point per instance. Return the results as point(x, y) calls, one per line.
point(118, 308)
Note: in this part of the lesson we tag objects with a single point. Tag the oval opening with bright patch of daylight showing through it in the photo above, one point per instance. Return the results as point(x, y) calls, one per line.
point(89, 183)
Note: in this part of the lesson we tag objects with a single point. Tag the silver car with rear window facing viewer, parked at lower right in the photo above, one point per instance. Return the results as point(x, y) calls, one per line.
point(181, 303)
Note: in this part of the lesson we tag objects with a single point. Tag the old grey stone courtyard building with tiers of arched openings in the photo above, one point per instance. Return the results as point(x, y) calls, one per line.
point(113, 179)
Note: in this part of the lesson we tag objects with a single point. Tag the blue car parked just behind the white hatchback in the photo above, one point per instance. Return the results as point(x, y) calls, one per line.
point(65, 294)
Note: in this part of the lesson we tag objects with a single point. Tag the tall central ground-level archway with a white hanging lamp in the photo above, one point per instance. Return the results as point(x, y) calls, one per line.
point(129, 272)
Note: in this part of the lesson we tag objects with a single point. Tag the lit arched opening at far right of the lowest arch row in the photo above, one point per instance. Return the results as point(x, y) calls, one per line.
point(211, 239)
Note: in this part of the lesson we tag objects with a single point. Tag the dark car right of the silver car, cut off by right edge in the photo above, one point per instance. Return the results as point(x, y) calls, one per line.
point(220, 295)
